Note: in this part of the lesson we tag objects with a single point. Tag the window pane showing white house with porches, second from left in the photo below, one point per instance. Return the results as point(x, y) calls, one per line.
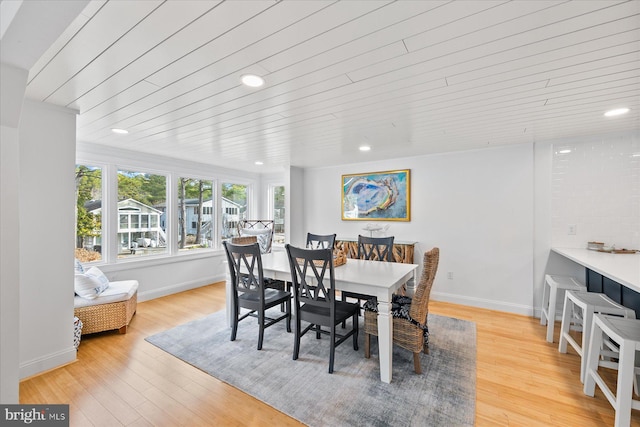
point(141, 202)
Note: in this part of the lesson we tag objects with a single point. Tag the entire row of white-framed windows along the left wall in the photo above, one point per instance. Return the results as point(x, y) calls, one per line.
point(144, 217)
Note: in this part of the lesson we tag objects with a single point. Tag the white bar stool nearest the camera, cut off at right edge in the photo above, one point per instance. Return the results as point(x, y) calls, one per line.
point(625, 333)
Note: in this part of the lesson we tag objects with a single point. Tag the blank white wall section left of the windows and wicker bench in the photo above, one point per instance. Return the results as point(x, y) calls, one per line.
point(46, 208)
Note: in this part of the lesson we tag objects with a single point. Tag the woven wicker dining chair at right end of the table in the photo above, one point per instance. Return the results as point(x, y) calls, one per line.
point(410, 330)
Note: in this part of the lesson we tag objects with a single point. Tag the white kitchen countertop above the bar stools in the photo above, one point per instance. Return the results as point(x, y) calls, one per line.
point(622, 268)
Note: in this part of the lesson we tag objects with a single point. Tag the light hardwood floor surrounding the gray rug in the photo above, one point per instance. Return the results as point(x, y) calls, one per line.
point(122, 380)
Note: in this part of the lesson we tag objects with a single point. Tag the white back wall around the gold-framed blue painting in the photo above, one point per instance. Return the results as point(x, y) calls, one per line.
point(476, 206)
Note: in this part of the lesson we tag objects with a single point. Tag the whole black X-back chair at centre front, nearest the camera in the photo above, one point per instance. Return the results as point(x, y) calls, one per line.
point(314, 290)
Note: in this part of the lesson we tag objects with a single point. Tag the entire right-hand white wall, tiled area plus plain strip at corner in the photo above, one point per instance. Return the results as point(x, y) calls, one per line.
point(596, 188)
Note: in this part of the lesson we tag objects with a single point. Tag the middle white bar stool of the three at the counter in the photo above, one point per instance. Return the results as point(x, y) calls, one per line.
point(588, 303)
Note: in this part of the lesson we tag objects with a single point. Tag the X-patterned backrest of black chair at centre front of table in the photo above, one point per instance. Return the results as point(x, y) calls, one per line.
point(316, 290)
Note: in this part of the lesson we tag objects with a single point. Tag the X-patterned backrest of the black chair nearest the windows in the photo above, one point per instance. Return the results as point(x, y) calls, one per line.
point(248, 256)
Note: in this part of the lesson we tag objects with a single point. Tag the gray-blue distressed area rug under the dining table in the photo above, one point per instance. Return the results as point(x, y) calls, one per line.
point(444, 395)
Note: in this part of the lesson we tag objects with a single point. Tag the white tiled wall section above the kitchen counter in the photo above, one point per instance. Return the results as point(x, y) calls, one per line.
point(596, 188)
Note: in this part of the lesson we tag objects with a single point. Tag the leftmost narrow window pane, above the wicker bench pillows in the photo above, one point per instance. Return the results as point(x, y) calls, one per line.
point(88, 213)
